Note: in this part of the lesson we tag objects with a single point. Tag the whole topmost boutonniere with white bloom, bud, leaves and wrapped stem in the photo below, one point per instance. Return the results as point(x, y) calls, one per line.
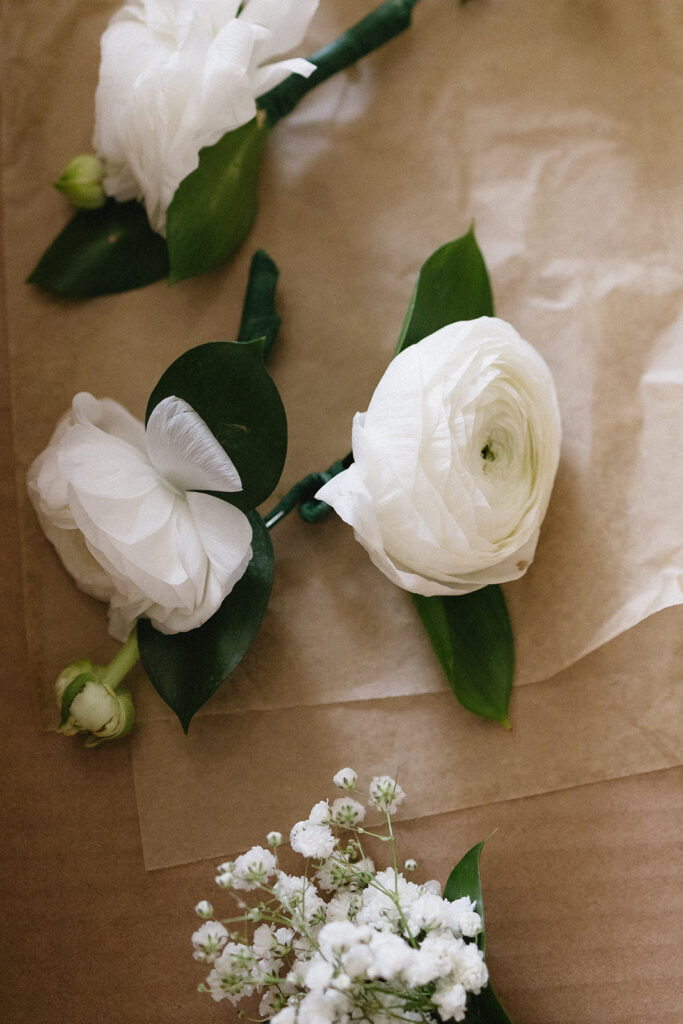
point(189, 93)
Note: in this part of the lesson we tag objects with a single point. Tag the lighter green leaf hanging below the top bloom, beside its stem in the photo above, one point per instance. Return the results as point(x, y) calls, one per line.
point(215, 207)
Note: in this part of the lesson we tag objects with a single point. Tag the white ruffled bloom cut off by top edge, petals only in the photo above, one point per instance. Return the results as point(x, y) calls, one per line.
point(176, 76)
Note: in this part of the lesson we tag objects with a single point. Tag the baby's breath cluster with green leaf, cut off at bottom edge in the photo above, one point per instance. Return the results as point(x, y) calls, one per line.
point(345, 940)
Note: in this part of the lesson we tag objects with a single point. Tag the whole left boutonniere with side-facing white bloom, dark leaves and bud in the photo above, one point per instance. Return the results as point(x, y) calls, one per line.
point(159, 520)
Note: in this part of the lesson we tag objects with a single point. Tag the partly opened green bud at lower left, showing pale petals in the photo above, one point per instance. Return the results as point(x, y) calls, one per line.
point(91, 706)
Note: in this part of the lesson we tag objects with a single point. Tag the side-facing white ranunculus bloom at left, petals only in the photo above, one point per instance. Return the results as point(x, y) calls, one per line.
point(121, 505)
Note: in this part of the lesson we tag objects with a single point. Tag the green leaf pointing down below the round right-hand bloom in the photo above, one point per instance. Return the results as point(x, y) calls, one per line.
point(473, 638)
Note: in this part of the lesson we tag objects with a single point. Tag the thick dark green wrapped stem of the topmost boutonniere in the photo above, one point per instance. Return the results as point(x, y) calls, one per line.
point(388, 21)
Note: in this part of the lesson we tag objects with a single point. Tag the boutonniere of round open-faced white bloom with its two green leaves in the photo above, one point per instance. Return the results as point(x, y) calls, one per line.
point(454, 464)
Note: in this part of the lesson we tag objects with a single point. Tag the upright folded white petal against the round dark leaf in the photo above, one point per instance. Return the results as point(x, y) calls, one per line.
point(184, 451)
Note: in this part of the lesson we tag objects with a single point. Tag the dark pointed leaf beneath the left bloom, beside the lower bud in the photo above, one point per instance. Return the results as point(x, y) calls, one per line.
point(188, 668)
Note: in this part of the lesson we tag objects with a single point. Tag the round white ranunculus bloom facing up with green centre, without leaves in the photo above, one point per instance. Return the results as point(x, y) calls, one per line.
point(455, 461)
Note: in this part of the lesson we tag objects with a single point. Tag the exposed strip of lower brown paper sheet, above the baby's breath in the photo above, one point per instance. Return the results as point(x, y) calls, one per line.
point(595, 721)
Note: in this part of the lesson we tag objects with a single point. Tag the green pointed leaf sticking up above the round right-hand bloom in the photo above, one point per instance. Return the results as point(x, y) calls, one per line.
point(453, 285)
